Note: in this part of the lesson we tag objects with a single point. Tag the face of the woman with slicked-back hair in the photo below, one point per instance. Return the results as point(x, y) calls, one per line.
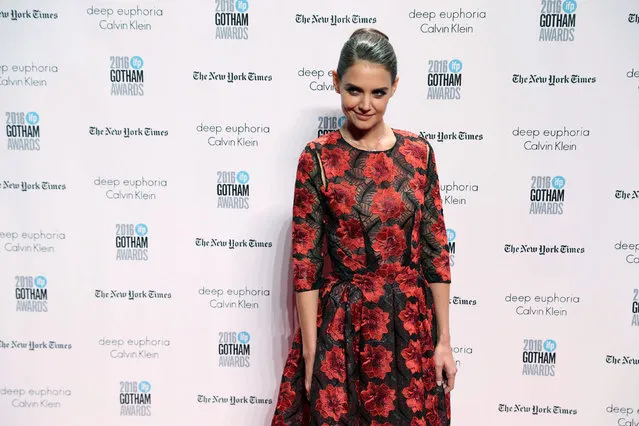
point(365, 89)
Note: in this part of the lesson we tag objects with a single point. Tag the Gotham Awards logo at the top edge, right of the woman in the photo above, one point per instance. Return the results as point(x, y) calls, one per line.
point(557, 20)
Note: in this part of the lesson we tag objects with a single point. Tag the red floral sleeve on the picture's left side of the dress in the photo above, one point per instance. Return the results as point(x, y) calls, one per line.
point(308, 223)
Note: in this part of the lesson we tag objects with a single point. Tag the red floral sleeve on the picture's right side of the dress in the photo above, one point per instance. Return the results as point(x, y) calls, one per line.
point(435, 257)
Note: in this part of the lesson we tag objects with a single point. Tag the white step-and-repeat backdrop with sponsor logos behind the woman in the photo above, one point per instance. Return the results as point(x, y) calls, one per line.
point(147, 163)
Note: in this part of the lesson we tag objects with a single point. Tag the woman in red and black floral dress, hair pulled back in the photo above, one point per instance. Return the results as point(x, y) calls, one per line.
point(373, 346)
